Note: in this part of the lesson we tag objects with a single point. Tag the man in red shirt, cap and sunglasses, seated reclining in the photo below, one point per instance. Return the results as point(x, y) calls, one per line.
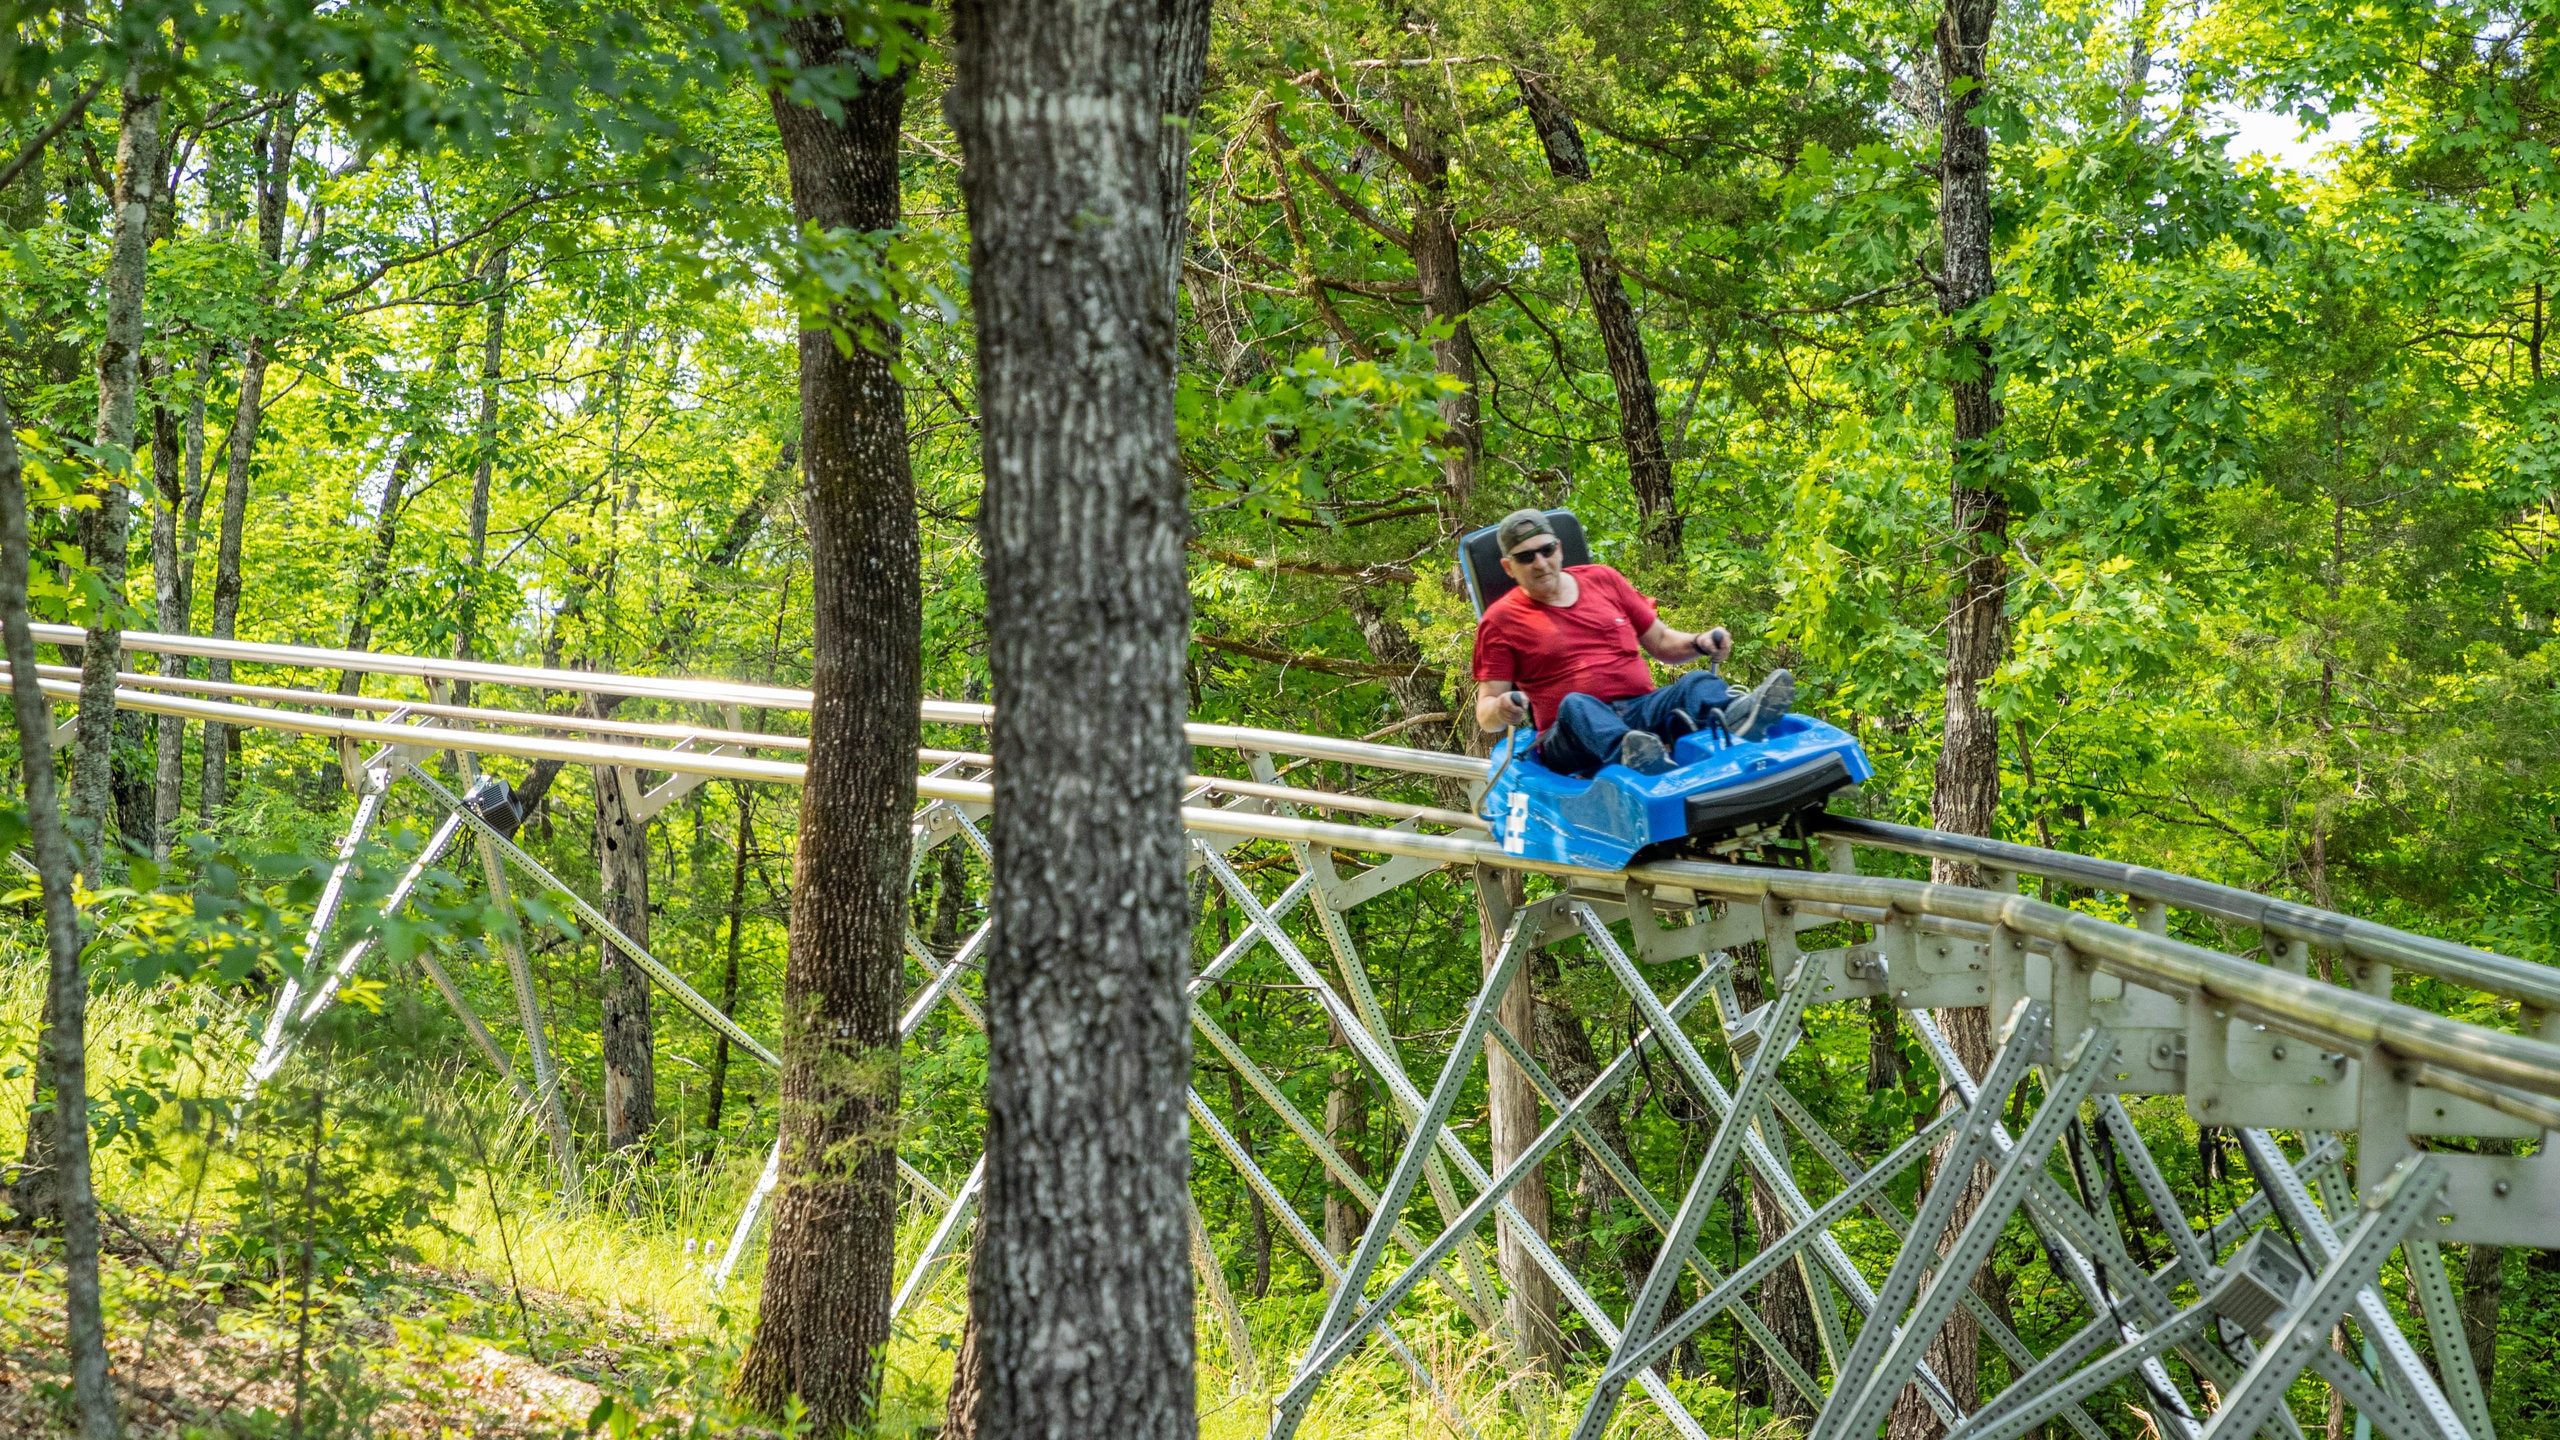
point(1563, 650)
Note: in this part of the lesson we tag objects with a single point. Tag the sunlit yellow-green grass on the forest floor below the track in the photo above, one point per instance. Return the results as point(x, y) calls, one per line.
point(516, 1311)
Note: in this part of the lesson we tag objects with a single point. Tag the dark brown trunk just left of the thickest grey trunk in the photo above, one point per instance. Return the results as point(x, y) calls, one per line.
point(823, 1323)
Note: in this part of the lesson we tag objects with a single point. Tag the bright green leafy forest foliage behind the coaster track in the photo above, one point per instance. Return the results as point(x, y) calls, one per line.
point(2280, 447)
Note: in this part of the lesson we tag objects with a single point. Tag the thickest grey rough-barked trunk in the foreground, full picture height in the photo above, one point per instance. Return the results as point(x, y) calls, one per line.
point(1084, 1282)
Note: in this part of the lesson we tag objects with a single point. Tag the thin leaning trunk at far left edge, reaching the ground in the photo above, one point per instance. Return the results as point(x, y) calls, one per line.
point(68, 993)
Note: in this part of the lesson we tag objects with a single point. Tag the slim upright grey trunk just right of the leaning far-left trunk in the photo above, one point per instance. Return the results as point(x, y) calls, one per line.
point(104, 529)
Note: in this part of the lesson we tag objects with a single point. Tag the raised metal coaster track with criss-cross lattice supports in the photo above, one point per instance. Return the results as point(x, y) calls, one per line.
point(2095, 1008)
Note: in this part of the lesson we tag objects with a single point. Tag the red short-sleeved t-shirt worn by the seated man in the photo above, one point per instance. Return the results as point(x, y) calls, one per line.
point(1568, 650)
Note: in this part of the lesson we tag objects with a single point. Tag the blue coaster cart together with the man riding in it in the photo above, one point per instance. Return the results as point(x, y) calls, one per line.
point(1599, 765)
